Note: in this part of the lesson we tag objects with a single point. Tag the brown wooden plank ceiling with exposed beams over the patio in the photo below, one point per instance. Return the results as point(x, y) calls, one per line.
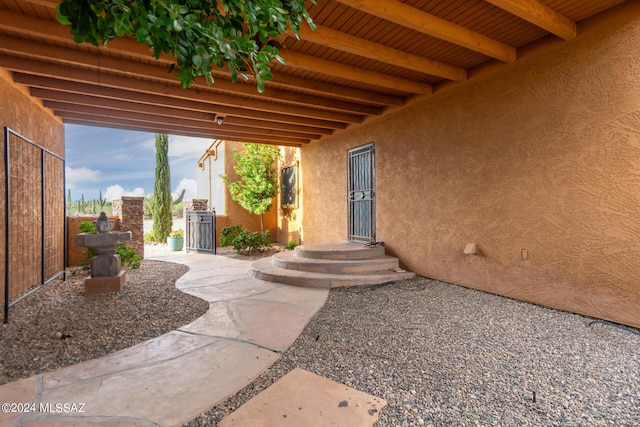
point(367, 57)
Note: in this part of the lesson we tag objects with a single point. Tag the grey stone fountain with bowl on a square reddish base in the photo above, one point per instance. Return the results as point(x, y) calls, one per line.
point(106, 275)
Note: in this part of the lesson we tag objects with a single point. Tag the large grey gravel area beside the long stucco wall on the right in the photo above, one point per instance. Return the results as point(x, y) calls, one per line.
point(444, 355)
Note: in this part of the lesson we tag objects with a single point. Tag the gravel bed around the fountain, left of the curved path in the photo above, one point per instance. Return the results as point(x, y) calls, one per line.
point(59, 326)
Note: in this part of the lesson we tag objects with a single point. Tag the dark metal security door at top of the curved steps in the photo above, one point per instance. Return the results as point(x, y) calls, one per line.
point(362, 195)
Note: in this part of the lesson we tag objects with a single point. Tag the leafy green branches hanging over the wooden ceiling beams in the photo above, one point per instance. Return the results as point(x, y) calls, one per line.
point(199, 34)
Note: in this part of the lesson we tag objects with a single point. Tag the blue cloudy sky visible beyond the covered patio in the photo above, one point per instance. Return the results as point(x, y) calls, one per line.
point(122, 163)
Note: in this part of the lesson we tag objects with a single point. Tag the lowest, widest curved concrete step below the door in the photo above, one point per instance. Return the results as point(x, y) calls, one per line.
point(265, 270)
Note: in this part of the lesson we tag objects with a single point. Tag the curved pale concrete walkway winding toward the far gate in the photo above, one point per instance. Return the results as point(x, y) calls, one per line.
point(171, 379)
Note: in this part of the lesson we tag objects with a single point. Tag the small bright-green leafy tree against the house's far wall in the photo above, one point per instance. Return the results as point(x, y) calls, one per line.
point(258, 182)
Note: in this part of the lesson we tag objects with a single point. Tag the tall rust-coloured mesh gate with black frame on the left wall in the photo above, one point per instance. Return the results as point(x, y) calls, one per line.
point(34, 225)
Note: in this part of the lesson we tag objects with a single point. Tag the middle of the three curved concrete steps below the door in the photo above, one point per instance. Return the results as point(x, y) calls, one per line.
point(288, 260)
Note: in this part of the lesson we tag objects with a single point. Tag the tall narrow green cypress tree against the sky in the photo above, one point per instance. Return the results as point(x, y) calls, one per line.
point(161, 202)
